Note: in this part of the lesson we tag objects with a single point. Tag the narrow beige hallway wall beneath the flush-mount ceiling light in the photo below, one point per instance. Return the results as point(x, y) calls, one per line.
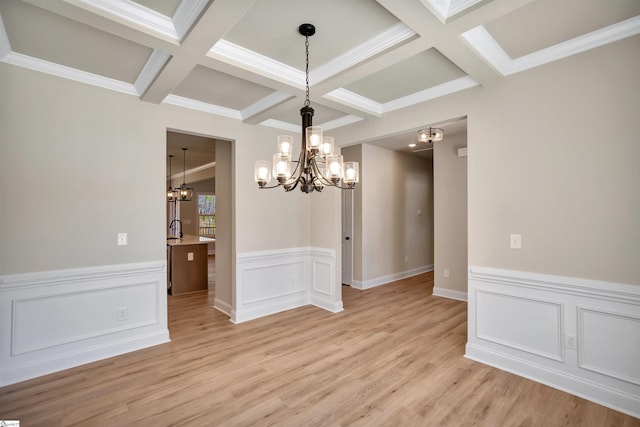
point(450, 212)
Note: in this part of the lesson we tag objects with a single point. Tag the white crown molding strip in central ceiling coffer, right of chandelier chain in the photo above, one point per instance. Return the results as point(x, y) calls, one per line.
point(389, 38)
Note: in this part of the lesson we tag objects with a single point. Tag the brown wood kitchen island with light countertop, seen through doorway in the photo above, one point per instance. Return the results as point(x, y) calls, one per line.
point(187, 264)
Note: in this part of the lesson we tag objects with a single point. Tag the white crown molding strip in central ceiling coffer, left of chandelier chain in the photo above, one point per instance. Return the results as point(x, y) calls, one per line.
point(246, 59)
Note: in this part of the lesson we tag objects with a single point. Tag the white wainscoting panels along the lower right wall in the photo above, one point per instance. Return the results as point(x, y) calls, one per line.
point(577, 335)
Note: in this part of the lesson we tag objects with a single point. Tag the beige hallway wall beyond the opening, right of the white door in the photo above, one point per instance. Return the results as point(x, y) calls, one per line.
point(390, 235)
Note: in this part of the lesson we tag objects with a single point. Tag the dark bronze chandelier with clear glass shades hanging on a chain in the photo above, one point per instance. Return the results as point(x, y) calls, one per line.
point(317, 166)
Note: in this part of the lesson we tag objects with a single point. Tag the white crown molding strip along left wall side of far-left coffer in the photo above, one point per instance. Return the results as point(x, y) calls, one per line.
point(69, 73)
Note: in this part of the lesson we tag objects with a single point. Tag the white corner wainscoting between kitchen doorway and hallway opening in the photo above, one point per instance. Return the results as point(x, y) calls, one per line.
point(272, 281)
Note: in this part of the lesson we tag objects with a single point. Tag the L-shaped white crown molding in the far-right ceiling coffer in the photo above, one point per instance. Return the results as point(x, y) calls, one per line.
point(486, 46)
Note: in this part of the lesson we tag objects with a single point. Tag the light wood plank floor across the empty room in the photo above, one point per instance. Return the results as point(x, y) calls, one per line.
point(394, 357)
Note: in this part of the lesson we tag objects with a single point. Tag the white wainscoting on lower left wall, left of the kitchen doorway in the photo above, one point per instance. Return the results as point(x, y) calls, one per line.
point(55, 320)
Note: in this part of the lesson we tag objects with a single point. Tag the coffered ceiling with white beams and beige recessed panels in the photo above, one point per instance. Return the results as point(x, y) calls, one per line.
point(244, 59)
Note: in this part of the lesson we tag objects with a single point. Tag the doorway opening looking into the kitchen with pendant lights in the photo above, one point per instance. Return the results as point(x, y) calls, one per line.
point(205, 220)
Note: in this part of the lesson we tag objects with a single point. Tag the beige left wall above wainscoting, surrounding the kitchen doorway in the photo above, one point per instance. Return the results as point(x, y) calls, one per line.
point(91, 163)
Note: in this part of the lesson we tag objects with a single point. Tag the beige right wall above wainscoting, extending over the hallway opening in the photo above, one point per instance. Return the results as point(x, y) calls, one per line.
point(553, 156)
